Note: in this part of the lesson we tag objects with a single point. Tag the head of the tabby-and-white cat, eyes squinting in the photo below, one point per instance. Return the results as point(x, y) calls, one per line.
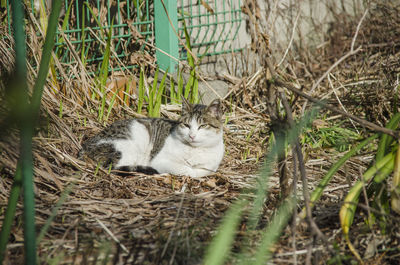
point(201, 125)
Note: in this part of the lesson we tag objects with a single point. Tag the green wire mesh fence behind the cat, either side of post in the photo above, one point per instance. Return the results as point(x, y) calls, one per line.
point(212, 26)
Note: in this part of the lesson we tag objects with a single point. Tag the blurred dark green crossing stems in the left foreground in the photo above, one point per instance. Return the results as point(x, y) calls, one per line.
point(26, 116)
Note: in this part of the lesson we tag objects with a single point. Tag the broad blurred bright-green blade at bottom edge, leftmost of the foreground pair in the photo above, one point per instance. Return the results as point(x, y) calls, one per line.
point(220, 246)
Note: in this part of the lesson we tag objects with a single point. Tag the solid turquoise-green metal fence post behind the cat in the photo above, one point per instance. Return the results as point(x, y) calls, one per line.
point(166, 39)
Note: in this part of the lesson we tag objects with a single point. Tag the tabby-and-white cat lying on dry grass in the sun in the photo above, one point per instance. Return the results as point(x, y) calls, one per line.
point(190, 146)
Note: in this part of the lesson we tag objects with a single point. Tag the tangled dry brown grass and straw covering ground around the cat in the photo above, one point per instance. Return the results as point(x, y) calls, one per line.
point(164, 219)
